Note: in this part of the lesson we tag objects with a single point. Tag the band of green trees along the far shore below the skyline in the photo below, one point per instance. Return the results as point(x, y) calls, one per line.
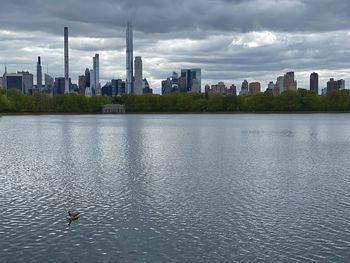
point(301, 100)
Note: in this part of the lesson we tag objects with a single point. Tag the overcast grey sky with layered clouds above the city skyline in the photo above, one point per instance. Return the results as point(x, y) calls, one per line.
point(230, 40)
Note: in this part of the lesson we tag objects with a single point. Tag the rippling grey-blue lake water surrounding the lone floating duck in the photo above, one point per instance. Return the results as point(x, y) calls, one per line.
point(175, 188)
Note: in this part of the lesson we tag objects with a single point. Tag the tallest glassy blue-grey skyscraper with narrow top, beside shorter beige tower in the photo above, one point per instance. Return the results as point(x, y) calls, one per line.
point(129, 59)
